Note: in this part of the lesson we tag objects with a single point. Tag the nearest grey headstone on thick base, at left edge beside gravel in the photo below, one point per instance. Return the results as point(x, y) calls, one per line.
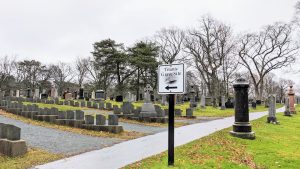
point(10, 141)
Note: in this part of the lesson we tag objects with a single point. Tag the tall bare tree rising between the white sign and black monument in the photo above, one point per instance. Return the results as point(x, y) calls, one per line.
point(209, 45)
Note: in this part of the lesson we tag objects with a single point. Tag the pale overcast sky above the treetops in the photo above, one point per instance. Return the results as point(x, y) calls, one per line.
point(61, 30)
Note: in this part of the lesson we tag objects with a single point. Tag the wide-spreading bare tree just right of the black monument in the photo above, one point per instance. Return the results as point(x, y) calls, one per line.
point(262, 52)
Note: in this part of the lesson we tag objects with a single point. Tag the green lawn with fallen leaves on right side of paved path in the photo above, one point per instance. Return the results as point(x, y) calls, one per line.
point(275, 146)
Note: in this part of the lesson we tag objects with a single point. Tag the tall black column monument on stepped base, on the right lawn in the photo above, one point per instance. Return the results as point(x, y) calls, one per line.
point(242, 127)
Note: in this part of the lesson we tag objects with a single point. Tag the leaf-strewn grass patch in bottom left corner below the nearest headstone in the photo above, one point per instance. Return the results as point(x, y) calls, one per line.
point(32, 158)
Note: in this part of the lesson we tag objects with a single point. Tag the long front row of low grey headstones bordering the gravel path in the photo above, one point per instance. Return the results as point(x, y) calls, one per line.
point(53, 115)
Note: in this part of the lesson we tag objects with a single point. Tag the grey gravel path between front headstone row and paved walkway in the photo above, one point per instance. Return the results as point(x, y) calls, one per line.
point(57, 141)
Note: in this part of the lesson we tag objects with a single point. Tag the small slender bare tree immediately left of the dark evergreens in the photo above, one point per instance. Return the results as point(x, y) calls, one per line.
point(82, 65)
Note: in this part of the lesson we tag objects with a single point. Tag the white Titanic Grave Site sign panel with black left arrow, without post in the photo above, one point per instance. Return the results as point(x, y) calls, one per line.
point(171, 79)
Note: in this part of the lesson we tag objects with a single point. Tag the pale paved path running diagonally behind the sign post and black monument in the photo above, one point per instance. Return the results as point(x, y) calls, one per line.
point(132, 151)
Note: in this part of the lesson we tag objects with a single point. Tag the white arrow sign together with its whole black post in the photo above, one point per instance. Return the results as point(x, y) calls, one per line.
point(171, 80)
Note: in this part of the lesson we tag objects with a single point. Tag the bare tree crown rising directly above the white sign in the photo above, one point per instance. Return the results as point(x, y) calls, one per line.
point(170, 42)
